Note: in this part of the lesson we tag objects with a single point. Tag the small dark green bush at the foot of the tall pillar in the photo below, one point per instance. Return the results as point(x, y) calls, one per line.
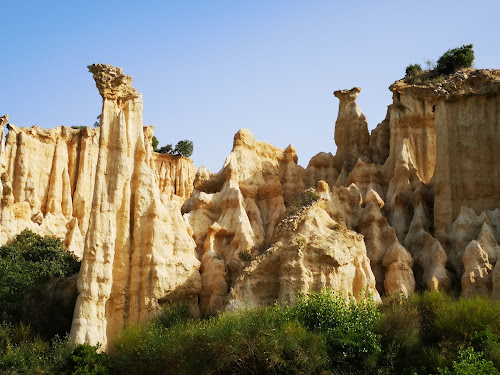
point(85, 360)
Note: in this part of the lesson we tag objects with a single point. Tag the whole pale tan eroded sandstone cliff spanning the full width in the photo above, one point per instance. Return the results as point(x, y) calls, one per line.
point(392, 212)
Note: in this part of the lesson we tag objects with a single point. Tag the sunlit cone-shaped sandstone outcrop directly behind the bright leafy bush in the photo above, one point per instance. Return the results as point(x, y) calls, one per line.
point(315, 254)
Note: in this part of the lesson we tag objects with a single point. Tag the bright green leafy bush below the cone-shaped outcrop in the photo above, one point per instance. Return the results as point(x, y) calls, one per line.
point(349, 327)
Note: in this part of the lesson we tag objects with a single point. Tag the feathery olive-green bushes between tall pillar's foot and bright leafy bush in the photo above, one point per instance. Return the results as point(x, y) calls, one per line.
point(257, 341)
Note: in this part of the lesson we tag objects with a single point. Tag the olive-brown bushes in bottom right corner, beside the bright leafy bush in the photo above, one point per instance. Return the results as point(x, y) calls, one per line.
point(427, 332)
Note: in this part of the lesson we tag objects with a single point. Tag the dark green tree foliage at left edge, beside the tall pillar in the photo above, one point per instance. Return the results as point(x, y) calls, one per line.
point(27, 261)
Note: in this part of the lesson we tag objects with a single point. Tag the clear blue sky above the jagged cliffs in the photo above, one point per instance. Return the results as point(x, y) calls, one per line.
point(209, 68)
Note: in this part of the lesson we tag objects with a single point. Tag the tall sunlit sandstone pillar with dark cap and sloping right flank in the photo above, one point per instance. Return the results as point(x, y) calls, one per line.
point(137, 249)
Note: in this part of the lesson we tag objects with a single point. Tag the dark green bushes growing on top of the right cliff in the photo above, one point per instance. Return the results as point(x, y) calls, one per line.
point(451, 61)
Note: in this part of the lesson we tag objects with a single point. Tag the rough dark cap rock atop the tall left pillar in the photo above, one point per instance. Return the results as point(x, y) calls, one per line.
point(111, 82)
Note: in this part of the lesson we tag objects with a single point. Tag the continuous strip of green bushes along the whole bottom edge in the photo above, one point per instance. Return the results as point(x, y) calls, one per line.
point(428, 333)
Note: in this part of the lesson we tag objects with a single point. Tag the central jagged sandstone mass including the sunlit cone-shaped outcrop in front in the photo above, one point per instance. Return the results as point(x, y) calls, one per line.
point(240, 212)
